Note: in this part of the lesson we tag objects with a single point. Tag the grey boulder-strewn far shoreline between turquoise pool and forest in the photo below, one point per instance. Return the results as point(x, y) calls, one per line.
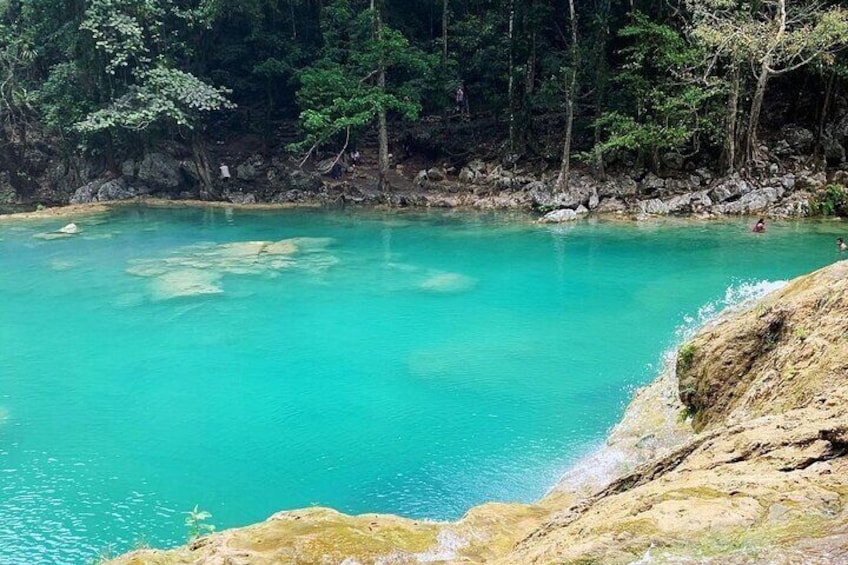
point(780, 188)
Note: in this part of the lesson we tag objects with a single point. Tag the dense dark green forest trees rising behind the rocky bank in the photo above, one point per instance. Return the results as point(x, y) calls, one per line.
point(594, 82)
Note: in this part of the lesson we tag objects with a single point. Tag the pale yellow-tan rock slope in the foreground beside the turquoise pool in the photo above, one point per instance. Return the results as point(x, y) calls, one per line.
point(757, 473)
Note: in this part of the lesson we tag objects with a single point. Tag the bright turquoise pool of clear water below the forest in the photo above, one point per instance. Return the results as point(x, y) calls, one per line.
point(413, 363)
